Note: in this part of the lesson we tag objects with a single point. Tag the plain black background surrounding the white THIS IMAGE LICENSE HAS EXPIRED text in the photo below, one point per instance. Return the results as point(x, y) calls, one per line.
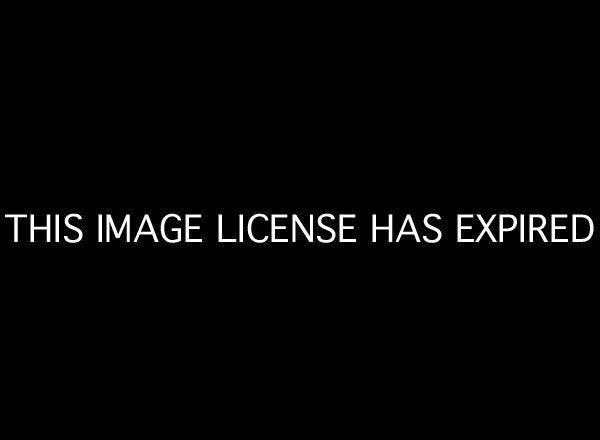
point(368, 113)
